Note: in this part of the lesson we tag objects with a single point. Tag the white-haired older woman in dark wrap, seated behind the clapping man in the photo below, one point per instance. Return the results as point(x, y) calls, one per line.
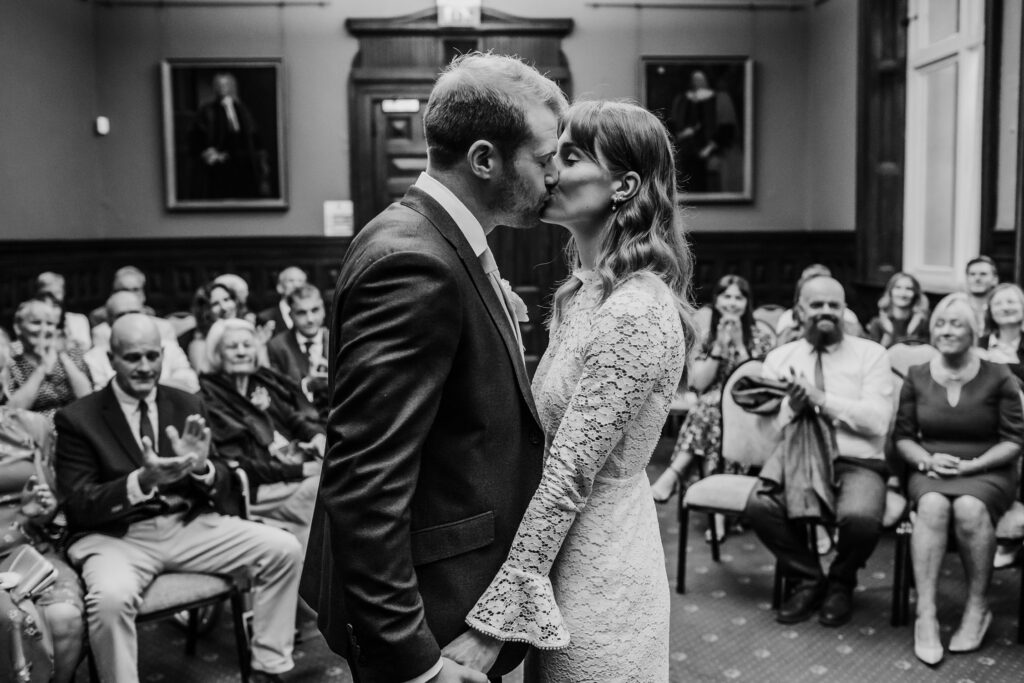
point(261, 419)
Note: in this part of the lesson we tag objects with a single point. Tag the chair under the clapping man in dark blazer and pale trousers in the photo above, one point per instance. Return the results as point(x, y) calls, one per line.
point(175, 593)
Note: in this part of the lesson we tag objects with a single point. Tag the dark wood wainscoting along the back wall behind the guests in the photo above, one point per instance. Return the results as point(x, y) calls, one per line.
point(176, 268)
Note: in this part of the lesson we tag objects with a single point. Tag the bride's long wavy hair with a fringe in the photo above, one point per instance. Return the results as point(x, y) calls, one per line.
point(646, 234)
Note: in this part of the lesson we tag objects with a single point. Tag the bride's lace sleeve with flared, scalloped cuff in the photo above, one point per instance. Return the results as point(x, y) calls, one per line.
point(631, 343)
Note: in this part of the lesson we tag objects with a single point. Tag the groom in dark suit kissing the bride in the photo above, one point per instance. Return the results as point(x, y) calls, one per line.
point(435, 447)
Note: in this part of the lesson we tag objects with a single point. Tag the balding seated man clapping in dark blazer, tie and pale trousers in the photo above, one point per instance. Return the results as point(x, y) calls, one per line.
point(139, 505)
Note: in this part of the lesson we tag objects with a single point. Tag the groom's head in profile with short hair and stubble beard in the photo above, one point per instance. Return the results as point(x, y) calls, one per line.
point(492, 122)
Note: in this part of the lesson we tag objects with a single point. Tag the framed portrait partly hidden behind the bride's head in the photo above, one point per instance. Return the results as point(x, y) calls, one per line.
point(708, 106)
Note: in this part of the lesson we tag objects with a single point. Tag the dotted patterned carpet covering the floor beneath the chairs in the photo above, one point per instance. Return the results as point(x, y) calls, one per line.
point(722, 630)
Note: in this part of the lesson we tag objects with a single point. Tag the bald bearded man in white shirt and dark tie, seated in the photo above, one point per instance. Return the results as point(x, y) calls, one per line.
point(848, 381)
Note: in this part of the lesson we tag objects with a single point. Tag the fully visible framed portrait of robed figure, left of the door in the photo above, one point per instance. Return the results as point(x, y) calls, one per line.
point(224, 135)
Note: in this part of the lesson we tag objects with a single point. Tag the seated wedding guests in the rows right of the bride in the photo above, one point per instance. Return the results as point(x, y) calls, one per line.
point(959, 431)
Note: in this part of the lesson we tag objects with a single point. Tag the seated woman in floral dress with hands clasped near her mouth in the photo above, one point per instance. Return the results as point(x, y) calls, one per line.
point(734, 339)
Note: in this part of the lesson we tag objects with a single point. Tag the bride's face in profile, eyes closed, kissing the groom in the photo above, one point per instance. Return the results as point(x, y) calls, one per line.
point(583, 197)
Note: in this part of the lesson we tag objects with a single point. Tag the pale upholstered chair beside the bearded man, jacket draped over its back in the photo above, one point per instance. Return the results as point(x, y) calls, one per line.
point(747, 439)
